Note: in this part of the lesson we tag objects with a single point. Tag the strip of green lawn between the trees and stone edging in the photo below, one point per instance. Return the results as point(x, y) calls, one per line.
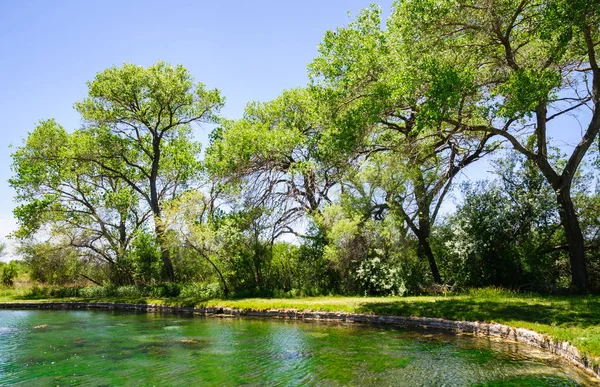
point(567, 318)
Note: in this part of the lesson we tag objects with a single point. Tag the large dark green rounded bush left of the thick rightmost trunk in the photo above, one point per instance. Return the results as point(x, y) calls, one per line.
point(503, 235)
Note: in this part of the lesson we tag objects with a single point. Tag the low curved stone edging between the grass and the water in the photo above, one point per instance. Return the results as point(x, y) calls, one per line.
point(505, 332)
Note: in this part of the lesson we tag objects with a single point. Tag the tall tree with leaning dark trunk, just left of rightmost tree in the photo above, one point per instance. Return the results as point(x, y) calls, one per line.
point(380, 105)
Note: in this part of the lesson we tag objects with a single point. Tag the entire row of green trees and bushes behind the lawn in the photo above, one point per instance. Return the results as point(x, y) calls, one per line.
point(341, 186)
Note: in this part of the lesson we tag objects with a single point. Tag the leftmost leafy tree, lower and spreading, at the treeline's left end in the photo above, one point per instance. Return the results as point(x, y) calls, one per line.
point(62, 198)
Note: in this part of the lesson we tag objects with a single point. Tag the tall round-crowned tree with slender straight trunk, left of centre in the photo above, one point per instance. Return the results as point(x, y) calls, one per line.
point(142, 117)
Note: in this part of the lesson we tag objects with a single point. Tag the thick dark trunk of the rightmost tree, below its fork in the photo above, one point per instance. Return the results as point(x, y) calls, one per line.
point(570, 224)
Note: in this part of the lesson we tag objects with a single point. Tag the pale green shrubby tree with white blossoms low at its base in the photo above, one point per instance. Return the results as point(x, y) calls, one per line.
point(369, 248)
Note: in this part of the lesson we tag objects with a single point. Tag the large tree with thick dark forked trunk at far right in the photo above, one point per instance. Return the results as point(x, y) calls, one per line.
point(526, 65)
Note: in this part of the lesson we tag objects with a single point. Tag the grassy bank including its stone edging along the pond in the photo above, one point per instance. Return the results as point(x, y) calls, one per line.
point(558, 319)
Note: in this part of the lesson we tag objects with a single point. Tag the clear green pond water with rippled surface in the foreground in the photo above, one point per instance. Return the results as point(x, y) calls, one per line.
point(91, 348)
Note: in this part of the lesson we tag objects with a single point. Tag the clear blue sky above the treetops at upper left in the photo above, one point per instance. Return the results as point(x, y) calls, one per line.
point(251, 50)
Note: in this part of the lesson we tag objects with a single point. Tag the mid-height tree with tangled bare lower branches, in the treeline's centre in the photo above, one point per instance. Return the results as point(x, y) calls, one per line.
point(272, 155)
